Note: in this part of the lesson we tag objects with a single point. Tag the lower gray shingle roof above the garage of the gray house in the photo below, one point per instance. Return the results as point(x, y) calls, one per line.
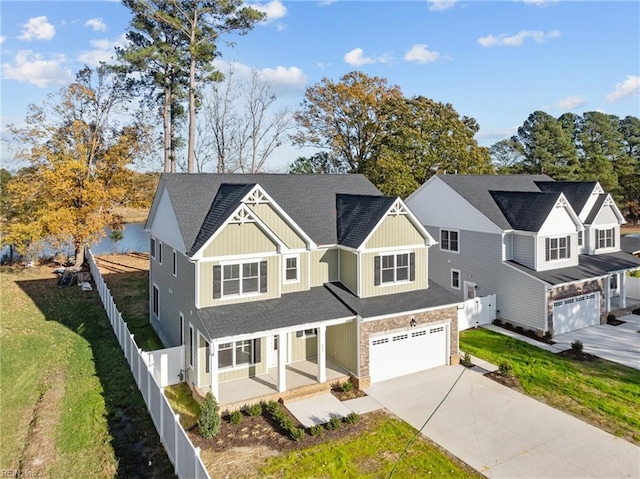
point(589, 266)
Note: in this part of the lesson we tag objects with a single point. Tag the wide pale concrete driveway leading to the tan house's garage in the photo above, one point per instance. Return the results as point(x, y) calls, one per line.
point(503, 433)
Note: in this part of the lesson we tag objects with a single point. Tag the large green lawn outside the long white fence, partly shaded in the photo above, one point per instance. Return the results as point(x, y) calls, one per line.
point(67, 397)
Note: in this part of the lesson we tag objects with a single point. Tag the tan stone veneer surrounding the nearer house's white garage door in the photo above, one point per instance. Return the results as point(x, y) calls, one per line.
point(401, 323)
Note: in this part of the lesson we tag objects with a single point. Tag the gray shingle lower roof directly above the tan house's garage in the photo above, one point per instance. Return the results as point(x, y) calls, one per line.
point(397, 303)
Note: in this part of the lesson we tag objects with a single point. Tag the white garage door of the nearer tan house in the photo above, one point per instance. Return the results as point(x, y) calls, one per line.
point(407, 352)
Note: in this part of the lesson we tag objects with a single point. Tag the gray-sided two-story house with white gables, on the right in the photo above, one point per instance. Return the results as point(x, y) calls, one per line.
point(549, 250)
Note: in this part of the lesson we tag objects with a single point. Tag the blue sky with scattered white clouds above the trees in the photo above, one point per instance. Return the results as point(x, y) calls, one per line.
point(496, 61)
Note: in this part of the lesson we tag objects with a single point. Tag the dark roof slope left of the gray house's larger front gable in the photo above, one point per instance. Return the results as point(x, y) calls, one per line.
point(525, 211)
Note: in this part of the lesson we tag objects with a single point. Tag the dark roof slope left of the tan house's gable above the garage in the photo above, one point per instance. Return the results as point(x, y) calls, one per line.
point(357, 215)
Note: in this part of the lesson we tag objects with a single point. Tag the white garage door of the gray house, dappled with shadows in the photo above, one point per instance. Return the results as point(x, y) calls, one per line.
point(575, 313)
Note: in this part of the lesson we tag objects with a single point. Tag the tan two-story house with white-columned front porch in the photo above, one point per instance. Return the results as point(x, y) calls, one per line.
point(255, 272)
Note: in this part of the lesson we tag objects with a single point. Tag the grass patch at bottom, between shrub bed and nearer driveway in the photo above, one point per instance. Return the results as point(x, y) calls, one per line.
point(371, 455)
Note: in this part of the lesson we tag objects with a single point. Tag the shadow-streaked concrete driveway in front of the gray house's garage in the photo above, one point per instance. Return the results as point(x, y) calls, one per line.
point(620, 344)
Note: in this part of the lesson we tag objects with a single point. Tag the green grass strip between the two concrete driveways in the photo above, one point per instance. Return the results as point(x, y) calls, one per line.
point(599, 392)
